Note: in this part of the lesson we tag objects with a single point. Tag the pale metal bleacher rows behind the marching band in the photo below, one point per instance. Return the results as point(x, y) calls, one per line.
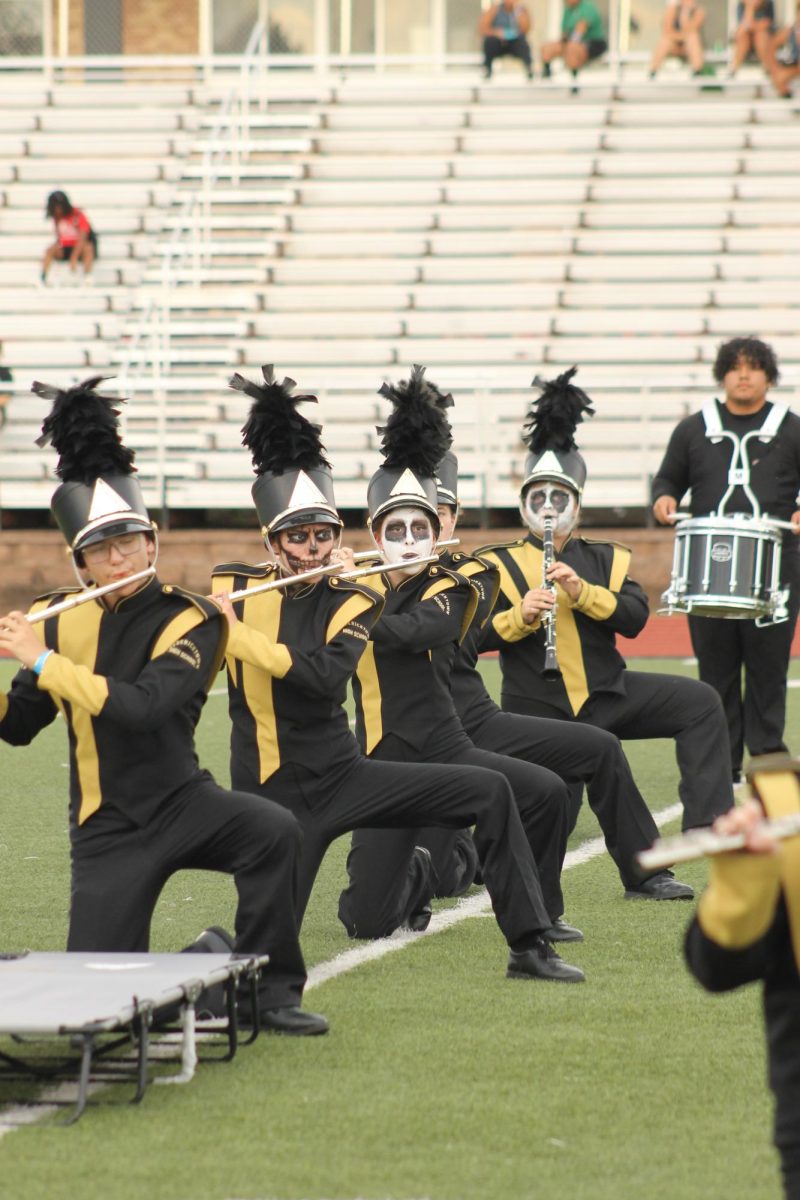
point(351, 227)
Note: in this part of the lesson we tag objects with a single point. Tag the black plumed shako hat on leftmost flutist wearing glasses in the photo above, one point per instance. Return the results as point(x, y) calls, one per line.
point(100, 495)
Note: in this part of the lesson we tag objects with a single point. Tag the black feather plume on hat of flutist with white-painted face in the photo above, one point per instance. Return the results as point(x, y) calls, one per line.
point(418, 431)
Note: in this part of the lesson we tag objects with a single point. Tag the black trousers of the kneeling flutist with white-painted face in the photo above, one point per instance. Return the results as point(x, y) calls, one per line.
point(381, 860)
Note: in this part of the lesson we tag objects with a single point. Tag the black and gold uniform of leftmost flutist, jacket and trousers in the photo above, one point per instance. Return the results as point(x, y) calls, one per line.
point(130, 685)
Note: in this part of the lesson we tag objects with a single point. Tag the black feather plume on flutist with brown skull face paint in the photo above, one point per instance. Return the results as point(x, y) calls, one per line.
point(279, 437)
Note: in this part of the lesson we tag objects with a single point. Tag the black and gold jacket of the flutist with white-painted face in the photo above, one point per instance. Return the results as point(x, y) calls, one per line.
point(402, 686)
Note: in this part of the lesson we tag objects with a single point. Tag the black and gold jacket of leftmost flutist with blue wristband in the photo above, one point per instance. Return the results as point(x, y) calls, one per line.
point(131, 686)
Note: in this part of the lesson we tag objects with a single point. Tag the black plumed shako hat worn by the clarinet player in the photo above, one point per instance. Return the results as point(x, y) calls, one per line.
point(549, 434)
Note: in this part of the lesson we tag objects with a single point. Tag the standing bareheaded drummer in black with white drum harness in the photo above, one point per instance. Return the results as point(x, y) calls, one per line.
point(771, 470)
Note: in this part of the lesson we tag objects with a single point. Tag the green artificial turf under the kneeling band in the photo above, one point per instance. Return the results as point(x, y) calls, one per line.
point(440, 1079)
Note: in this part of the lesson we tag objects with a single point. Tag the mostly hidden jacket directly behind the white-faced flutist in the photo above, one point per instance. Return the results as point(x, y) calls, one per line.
point(471, 698)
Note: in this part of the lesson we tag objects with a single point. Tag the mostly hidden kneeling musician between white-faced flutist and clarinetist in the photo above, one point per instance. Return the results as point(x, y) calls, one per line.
point(578, 753)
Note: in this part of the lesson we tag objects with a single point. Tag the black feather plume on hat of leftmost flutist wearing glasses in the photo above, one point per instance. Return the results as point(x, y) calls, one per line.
point(83, 428)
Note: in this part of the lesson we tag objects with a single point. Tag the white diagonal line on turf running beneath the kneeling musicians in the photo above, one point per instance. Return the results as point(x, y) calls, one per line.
point(474, 907)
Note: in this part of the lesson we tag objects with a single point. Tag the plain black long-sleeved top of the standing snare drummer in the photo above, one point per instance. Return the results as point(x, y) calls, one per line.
point(694, 461)
